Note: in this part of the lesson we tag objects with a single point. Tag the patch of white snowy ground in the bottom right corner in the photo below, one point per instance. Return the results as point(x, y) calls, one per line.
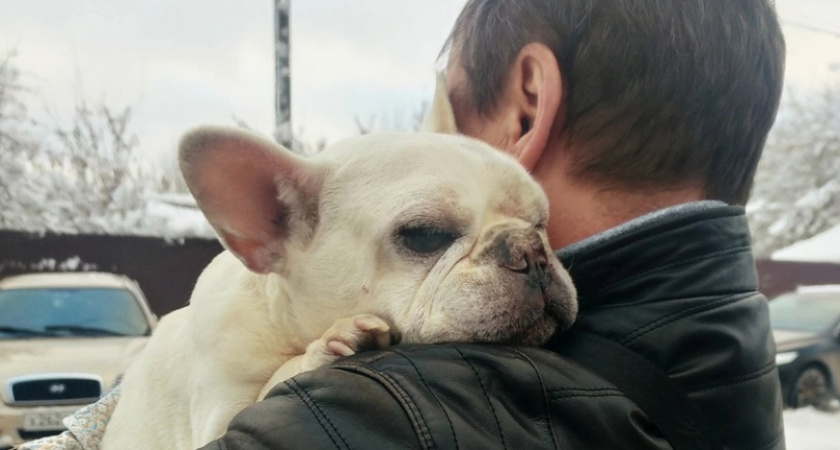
point(810, 429)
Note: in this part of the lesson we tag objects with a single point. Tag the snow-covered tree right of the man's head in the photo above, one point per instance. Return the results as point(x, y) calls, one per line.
point(797, 189)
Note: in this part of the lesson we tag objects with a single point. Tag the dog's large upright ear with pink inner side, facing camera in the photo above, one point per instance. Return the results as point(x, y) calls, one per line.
point(256, 194)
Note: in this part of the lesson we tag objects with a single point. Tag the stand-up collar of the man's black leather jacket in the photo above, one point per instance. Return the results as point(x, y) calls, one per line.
point(646, 259)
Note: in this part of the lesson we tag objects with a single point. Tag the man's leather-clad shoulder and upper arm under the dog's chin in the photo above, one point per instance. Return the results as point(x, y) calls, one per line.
point(445, 396)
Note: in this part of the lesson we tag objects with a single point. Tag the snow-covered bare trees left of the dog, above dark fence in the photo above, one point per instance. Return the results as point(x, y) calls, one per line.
point(82, 175)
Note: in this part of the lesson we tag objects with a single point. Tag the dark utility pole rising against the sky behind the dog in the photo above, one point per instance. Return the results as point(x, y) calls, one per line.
point(282, 88)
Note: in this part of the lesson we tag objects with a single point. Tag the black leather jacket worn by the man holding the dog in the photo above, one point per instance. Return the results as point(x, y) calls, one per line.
point(679, 288)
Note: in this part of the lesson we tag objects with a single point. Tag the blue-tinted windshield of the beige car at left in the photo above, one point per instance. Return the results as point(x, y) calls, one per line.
point(84, 311)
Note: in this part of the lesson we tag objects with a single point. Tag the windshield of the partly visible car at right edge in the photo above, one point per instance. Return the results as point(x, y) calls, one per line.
point(812, 312)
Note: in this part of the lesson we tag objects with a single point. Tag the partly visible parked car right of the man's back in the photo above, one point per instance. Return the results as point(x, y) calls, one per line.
point(806, 325)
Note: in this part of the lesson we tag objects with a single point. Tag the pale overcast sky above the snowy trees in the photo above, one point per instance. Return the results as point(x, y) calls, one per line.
point(188, 62)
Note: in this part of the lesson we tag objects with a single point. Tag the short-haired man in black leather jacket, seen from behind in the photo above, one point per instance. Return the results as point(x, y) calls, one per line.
point(643, 121)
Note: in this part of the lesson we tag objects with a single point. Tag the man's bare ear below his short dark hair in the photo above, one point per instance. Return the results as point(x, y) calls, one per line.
point(535, 87)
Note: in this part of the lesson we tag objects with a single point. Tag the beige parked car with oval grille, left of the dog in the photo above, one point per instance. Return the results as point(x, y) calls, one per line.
point(64, 340)
